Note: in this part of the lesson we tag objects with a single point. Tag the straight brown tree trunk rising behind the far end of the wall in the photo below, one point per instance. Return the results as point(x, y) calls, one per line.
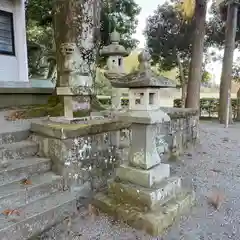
point(195, 68)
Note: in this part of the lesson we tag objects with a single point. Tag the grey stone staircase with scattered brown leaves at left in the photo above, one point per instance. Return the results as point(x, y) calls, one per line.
point(30, 188)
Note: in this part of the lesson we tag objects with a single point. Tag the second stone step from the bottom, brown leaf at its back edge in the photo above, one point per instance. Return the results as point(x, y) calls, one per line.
point(17, 194)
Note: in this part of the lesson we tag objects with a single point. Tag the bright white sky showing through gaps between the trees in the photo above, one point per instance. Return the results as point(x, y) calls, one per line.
point(148, 8)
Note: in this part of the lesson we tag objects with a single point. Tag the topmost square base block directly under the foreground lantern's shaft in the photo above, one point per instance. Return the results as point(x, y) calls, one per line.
point(144, 178)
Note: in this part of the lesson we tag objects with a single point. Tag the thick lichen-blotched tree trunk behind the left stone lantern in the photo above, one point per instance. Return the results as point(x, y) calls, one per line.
point(78, 21)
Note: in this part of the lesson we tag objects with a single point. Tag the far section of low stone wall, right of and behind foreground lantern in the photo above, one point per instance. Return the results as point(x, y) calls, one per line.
point(172, 139)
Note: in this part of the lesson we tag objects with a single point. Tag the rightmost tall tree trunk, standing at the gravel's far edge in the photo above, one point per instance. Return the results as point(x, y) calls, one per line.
point(226, 77)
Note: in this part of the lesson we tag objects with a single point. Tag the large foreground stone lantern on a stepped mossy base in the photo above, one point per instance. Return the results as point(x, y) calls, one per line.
point(142, 193)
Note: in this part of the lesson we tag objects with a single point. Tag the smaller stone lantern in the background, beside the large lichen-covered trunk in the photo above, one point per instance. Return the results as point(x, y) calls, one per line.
point(115, 54)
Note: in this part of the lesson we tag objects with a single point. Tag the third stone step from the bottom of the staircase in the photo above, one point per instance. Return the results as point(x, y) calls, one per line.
point(23, 168)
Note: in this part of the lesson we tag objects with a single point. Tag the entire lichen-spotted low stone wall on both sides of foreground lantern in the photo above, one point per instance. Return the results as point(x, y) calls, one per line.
point(88, 154)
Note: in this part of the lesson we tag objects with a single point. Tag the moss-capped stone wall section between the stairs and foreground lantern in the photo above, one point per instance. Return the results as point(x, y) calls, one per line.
point(85, 154)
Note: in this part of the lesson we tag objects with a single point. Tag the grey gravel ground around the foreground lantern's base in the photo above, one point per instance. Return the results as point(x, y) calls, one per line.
point(212, 167)
